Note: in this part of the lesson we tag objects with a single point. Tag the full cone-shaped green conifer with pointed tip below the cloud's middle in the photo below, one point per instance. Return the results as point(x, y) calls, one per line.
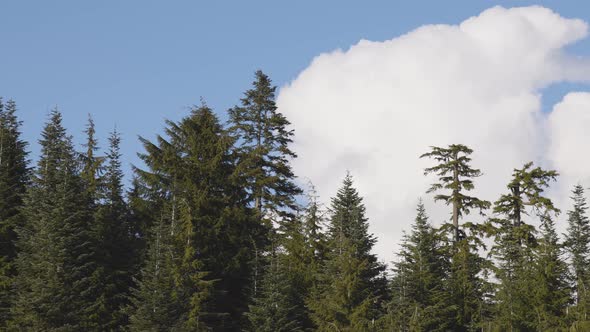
point(352, 284)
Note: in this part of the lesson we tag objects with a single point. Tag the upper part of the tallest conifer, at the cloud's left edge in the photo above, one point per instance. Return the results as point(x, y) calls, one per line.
point(265, 153)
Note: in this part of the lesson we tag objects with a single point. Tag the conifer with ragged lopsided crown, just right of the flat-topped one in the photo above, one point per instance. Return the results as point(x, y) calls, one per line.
point(514, 244)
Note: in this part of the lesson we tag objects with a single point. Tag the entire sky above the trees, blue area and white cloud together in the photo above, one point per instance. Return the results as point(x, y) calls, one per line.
point(367, 85)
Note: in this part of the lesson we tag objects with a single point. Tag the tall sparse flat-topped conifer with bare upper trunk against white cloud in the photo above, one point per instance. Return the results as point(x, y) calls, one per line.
point(465, 282)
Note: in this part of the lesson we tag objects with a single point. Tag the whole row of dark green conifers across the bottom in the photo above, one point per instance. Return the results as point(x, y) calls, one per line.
point(211, 235)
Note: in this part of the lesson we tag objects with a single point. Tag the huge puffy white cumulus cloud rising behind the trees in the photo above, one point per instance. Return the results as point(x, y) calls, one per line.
point(374, 108)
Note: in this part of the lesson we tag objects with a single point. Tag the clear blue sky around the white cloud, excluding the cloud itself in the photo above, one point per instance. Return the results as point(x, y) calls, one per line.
point(135, 63)
